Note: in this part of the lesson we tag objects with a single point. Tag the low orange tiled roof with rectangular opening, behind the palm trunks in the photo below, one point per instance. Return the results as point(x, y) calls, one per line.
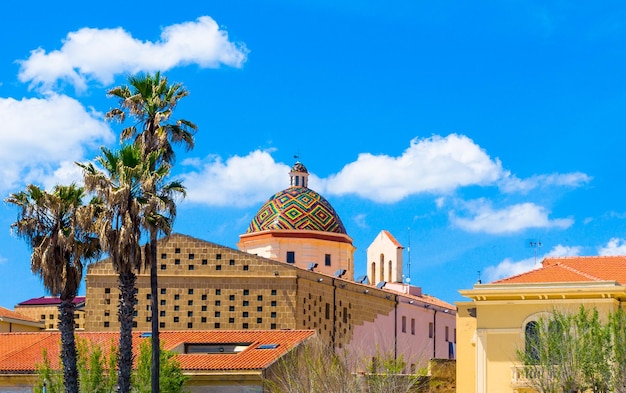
point(20, 352)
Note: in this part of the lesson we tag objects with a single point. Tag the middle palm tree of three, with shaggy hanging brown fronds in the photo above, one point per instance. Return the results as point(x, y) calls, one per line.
point(123, 188)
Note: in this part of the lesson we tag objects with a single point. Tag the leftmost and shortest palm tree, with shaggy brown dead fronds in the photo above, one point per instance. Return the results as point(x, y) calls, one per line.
point(58, 228)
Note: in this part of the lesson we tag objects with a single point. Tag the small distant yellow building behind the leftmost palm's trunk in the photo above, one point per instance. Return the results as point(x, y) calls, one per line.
point(46, 310)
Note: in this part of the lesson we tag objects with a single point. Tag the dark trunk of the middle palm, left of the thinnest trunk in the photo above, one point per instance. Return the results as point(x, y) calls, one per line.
point(125, 314)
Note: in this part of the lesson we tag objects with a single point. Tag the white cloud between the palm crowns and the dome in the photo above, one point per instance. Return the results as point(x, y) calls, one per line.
point(239, 181)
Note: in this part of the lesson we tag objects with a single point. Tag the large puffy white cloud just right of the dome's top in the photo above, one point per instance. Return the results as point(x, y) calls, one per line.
point(436, 164)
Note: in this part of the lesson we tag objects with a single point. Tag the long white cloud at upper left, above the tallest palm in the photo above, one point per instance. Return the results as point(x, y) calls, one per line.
point(99, 54)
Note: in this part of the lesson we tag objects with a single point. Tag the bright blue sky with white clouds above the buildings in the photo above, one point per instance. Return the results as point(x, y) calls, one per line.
point(479, 126)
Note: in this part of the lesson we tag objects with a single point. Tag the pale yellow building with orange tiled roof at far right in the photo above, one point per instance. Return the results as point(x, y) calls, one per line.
point(493, 325)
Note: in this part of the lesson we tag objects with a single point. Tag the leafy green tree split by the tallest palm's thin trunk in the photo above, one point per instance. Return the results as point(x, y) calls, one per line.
point(171, 375)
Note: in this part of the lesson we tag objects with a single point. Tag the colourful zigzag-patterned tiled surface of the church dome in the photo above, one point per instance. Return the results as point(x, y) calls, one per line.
point(297, 208)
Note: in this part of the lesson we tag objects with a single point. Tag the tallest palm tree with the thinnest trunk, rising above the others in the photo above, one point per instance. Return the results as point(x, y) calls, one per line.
point(150, 101)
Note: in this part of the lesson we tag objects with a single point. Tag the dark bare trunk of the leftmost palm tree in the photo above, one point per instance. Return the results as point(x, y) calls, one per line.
point(68, 345)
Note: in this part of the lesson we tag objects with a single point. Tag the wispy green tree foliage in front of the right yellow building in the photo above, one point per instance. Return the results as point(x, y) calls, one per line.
point(568, 353)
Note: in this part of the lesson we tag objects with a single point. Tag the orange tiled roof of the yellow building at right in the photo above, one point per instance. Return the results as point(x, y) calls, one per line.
point(574, 269)
